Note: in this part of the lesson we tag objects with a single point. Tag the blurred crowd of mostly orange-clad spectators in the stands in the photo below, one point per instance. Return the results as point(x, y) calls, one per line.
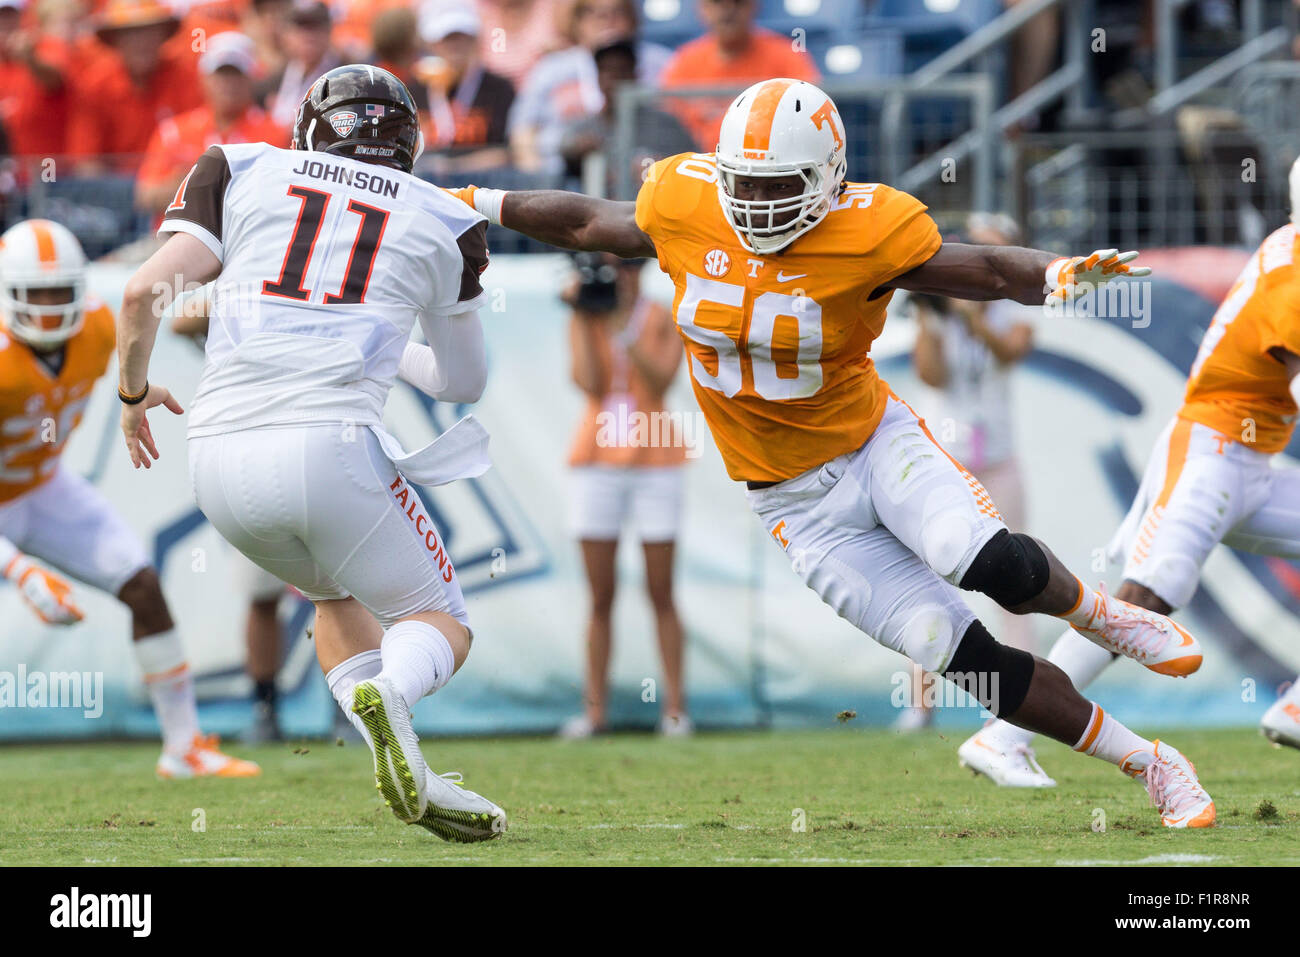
point(135, 90)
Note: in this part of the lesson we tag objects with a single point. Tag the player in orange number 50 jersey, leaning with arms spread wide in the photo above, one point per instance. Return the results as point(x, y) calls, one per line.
point(783, 272)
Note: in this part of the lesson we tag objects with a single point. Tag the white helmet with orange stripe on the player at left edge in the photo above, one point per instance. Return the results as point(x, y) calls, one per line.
point(40, 254)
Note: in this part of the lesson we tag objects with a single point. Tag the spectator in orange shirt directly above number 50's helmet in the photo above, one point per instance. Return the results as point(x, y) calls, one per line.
point(733, 53)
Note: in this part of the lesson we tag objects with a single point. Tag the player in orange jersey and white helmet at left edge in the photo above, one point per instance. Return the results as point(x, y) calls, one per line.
point(55, 343)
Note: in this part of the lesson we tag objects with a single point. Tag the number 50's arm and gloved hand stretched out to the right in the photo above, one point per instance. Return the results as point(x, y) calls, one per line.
point(1012, 272)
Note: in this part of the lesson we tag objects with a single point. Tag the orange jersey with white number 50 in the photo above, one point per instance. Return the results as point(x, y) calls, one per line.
point(778, 345)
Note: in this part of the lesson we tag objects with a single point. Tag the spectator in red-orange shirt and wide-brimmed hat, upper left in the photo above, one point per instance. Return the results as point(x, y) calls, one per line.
point(123, 97)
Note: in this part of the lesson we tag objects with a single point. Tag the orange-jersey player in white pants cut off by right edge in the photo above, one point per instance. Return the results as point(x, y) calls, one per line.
point(1210, 480)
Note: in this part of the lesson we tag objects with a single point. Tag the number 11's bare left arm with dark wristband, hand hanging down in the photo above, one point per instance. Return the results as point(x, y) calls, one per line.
point(183, 261)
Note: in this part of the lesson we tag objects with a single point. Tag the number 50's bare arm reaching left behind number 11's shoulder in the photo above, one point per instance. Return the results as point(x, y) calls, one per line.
point(577, 222)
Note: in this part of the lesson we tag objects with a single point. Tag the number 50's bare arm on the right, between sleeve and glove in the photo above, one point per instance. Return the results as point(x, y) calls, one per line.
point(982, 274)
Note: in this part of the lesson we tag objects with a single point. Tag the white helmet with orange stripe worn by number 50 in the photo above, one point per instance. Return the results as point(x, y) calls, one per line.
point(779, 128)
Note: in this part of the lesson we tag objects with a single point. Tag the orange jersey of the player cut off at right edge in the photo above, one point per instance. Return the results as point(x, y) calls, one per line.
point(1237, 388)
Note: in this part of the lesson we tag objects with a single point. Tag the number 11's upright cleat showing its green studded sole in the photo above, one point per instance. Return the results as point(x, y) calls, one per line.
point(400, 770)
